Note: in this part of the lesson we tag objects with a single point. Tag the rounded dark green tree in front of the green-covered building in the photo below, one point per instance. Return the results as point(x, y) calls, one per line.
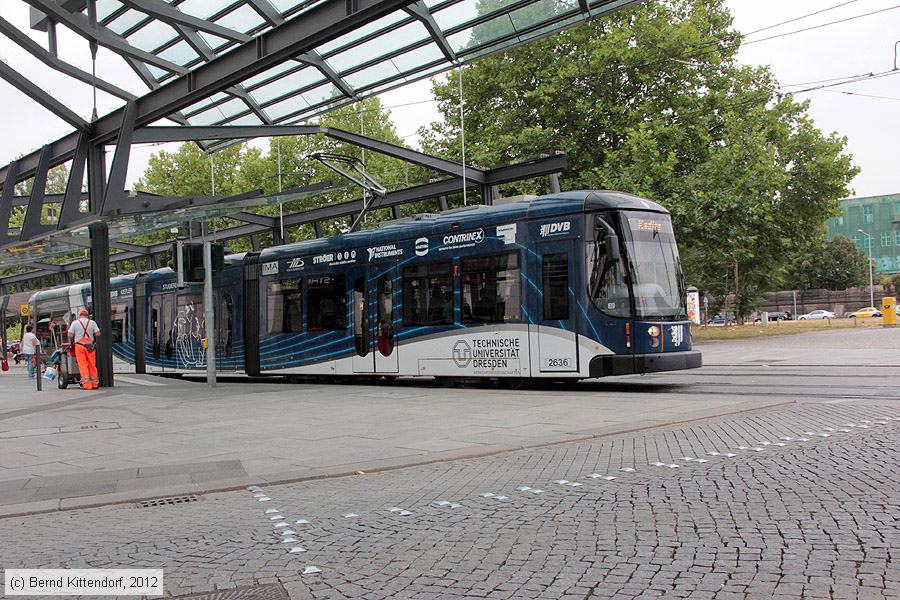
point(836, 265)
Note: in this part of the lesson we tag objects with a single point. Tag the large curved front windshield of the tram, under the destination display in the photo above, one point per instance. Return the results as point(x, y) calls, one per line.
point(649, 266)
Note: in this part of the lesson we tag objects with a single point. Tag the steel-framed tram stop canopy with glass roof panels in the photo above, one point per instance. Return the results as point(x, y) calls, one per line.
point(220, 70)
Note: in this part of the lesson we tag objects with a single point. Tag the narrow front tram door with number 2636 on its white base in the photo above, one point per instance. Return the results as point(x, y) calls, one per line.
point(557, 311)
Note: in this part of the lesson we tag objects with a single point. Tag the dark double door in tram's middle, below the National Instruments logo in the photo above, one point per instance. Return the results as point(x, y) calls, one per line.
point(375, 314)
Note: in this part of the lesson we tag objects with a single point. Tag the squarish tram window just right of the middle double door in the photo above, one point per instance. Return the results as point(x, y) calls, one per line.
point(428, 294)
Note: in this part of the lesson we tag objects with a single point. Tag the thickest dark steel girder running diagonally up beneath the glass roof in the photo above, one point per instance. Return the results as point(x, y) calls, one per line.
point(321, 23)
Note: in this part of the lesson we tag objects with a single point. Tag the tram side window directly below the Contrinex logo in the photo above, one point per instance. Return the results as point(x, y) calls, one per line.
point(491, 289)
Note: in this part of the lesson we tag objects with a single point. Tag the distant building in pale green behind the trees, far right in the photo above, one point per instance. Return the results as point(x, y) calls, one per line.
point(879, 216)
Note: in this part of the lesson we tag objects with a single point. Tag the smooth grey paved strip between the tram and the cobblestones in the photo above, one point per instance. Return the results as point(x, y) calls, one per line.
point(175, 433)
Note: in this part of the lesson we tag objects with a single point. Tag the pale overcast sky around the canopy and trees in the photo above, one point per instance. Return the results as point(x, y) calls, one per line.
point(864, 112)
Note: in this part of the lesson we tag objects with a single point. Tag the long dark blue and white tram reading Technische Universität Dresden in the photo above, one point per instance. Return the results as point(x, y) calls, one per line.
point(566, 286)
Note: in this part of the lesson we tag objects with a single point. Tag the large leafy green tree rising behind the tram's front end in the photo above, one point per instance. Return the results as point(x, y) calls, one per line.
point(652, 101)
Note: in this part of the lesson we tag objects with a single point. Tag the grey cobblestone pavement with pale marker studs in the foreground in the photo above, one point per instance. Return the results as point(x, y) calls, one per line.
point(816, 517)
